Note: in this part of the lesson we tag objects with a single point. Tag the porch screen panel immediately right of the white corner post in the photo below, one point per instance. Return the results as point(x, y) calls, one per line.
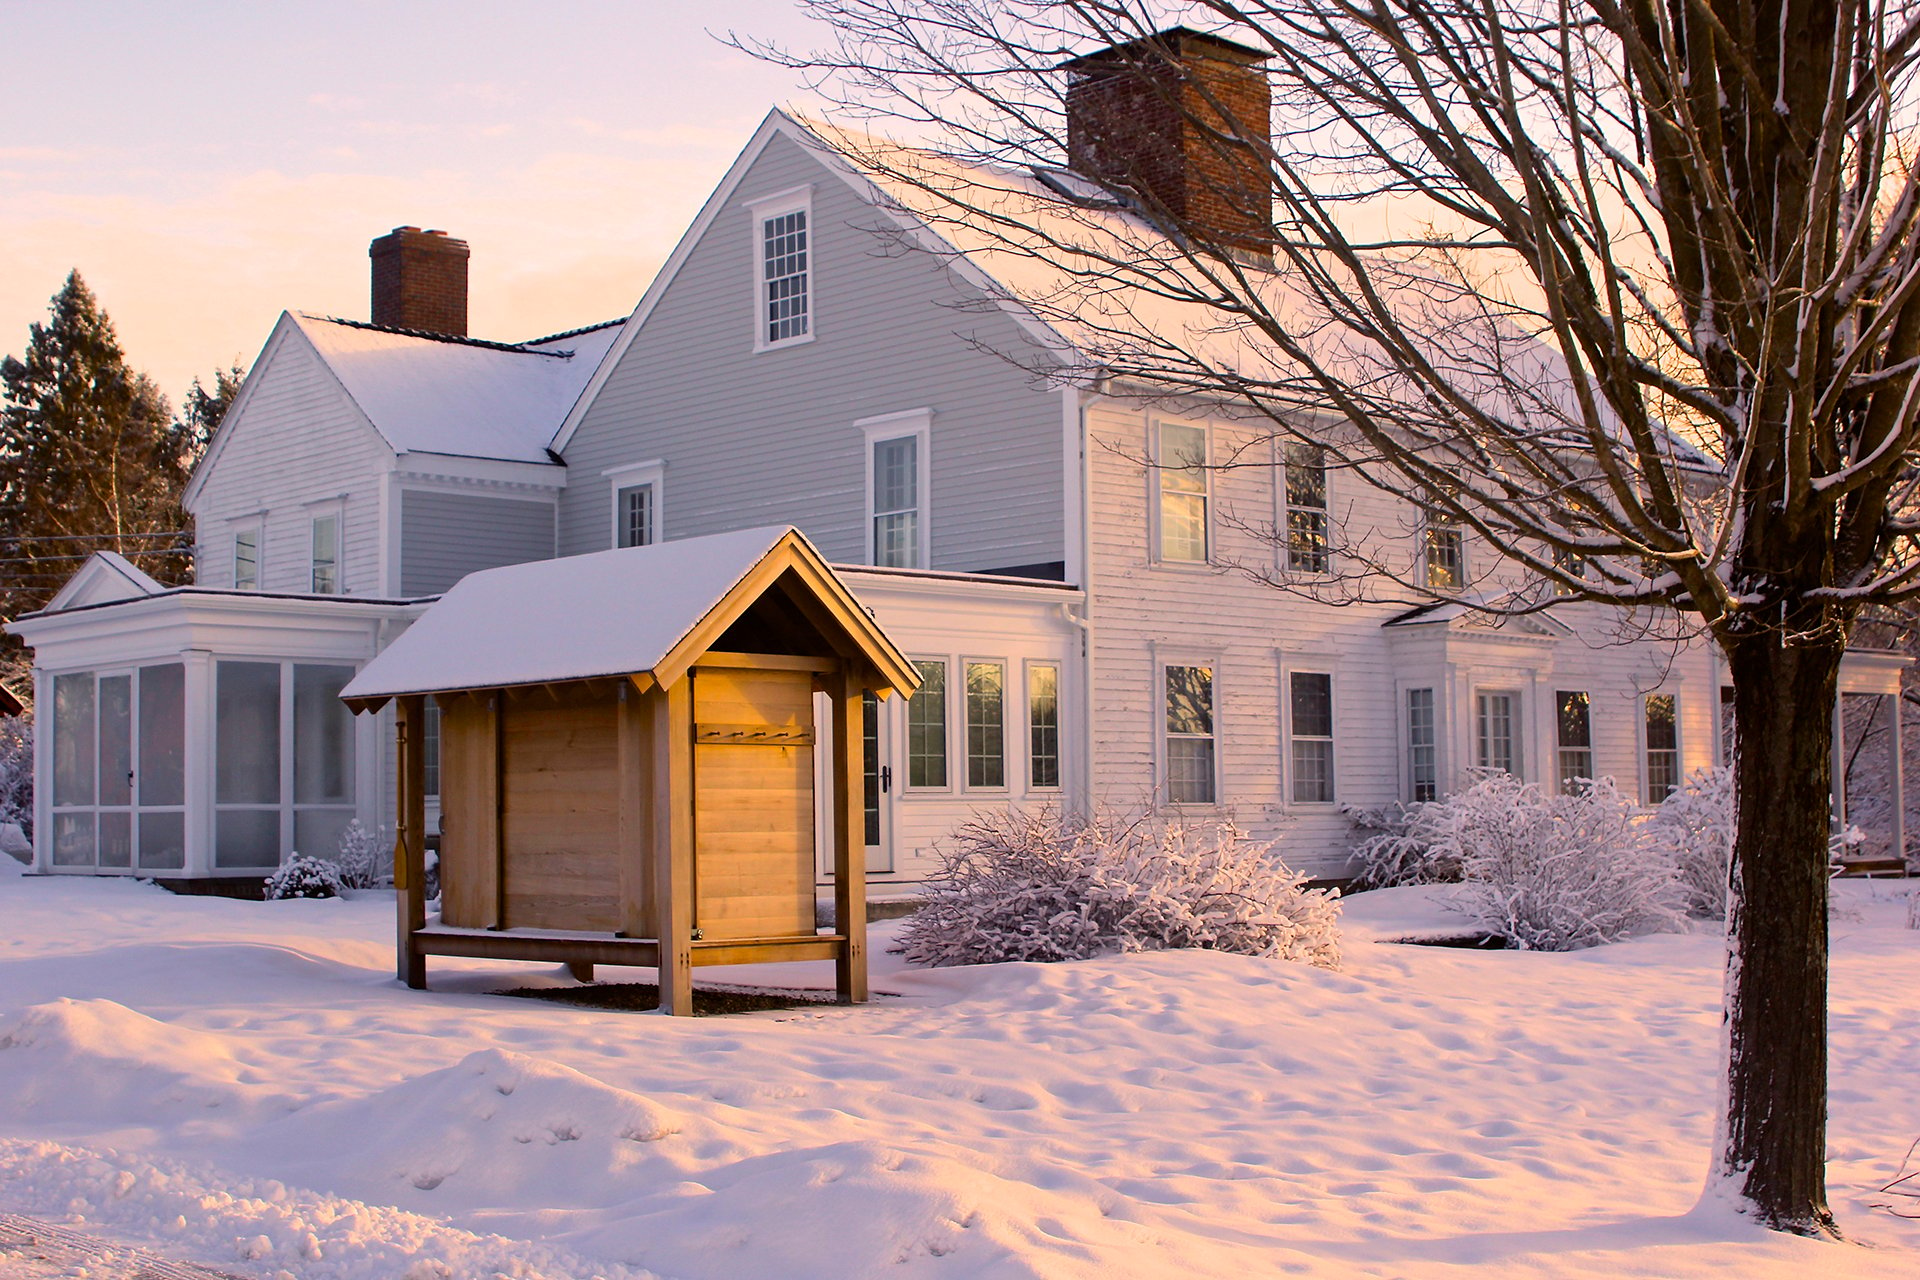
point(247, 765)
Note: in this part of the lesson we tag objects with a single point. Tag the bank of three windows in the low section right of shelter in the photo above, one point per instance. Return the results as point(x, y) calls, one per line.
point(988, 713)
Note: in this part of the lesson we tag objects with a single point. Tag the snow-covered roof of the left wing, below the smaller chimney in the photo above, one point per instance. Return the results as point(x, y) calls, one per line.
point(456, 396)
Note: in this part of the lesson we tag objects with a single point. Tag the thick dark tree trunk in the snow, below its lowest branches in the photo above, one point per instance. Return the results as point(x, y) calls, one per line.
point(1773, 1143)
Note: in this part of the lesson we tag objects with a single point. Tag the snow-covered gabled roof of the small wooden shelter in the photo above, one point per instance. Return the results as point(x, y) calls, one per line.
point(610, 613)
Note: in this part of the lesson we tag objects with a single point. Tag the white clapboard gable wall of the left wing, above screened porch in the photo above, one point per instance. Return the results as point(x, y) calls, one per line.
point(300, 442)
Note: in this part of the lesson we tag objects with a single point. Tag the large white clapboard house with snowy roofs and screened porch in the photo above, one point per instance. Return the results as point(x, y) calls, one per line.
point(1078, 613)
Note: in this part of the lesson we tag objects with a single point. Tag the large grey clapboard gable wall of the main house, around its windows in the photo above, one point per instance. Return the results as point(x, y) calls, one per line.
point(769, 437)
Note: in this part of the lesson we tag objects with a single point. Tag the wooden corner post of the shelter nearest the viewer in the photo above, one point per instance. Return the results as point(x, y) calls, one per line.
point(673, 841)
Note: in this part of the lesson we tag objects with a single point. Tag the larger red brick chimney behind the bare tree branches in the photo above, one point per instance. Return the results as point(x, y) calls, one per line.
point(1143, 118)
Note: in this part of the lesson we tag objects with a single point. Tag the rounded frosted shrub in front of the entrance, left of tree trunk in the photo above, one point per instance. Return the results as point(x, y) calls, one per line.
point(1558, 872)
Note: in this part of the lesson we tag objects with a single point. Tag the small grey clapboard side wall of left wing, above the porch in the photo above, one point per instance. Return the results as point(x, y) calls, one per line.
point(446, 536)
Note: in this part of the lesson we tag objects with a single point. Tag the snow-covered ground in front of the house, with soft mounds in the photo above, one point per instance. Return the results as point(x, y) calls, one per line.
point(245, 1085)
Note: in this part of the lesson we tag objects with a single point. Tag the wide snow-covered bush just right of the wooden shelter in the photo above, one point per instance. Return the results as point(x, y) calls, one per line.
point(1051, 886)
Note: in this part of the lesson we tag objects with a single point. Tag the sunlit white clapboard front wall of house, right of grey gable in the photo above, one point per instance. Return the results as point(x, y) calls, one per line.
point(1147, 615)
